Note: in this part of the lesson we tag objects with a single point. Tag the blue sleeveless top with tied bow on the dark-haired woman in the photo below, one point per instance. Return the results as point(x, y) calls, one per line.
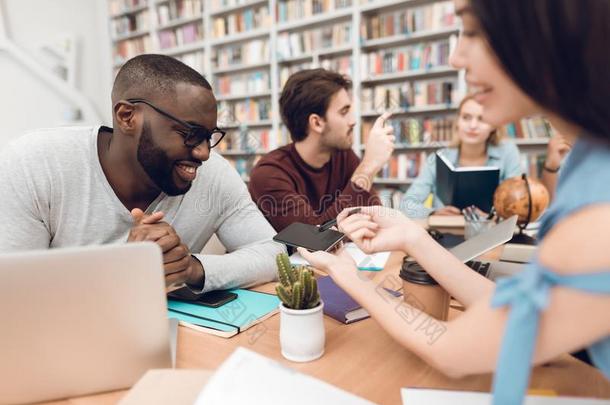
point(583, 180)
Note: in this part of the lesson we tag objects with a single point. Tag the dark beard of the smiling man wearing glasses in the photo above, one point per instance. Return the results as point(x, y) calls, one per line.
point(157, 165)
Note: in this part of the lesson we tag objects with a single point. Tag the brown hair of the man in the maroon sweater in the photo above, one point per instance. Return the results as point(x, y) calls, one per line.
point(308, 92)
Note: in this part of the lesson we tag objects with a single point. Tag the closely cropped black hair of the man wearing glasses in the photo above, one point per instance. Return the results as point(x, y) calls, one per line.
point(146, 75)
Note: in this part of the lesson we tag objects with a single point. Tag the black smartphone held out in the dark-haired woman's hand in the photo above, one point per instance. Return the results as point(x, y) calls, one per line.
point(309, 237)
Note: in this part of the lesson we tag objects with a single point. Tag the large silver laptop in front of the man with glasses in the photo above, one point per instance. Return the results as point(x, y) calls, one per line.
point(81, 320)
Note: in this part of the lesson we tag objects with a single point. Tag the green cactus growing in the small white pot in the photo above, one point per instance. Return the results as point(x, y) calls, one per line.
point(298, 288)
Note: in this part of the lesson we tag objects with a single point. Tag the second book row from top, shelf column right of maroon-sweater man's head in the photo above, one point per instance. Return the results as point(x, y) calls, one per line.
point(414, 57)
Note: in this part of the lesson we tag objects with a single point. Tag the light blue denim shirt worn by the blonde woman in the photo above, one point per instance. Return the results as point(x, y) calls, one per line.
point(505, 156)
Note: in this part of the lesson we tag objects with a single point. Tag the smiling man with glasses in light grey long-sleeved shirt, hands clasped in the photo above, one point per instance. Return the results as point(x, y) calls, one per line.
point(152, 177)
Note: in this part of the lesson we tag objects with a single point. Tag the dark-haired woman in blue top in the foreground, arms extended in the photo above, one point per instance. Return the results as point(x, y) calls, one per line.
point(521, 57)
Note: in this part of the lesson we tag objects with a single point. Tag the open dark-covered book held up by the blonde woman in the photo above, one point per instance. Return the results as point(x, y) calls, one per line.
point(465, 186)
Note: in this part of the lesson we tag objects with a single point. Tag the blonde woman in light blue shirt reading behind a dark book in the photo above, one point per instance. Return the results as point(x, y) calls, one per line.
point(475, 143)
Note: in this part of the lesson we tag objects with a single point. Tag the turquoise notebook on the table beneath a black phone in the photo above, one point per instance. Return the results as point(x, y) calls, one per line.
point(250, 308)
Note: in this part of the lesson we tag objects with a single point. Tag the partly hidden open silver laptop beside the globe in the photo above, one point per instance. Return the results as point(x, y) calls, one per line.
point(484, 242)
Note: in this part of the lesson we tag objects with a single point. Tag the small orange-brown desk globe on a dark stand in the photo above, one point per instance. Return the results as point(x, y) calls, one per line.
point(522, 196)
